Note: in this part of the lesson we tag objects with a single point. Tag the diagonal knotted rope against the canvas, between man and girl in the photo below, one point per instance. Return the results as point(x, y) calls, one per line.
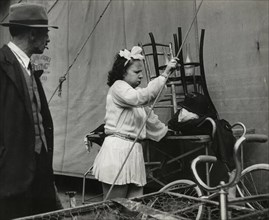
point(63, 78)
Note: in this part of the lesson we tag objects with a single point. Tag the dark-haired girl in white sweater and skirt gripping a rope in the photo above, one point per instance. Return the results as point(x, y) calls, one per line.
point(126, 111)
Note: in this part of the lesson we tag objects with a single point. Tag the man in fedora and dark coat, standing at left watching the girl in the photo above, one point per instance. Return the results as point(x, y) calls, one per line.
point(26, 128)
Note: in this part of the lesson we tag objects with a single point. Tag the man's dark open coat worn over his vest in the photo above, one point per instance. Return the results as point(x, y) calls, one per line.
point(17, 134)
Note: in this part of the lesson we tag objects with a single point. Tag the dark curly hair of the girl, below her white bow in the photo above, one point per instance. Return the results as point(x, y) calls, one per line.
point(118, 70)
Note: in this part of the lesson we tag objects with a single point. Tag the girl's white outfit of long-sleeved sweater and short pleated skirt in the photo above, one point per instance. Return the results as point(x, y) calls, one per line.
point(126, 112)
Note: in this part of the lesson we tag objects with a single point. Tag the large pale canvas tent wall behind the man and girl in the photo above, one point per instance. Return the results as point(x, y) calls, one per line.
point(235, 51)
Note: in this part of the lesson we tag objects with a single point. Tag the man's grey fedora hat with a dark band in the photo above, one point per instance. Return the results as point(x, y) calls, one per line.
point(28, 15)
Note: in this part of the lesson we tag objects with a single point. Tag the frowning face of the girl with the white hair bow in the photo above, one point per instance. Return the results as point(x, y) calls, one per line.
point(134, 74)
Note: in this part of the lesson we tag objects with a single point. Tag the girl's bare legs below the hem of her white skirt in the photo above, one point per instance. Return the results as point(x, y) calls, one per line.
point(118, 191)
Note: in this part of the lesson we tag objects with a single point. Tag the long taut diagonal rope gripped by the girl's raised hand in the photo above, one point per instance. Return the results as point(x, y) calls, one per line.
point(151, 108)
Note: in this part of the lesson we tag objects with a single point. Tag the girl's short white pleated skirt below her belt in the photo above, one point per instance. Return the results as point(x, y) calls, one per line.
point(112, 155)
